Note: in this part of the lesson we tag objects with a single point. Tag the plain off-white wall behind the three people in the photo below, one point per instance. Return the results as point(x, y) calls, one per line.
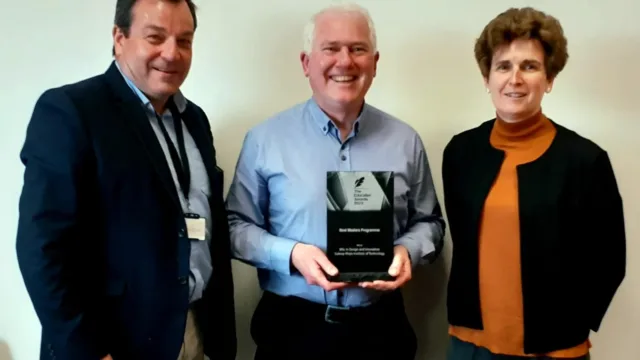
point(246, 68)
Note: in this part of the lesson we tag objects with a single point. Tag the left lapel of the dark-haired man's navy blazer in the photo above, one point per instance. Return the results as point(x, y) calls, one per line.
point(128, 106)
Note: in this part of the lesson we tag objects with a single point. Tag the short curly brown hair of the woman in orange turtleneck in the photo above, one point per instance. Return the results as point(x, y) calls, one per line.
point(523, 23)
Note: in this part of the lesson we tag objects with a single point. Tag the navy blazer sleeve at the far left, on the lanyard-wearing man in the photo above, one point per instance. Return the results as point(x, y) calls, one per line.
point(54, 154)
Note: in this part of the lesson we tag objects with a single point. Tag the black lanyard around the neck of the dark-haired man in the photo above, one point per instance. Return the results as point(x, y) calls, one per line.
point(182, 167)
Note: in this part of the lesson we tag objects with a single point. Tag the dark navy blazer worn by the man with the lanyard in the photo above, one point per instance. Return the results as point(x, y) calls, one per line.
point(101, 238)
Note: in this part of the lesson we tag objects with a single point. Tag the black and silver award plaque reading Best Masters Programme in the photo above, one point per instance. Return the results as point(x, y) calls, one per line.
point(360, 225)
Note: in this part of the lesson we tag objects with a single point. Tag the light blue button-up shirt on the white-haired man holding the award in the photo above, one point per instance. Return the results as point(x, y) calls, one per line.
point(278, 194)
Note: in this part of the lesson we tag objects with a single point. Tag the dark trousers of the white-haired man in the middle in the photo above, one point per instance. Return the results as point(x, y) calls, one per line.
point(293, 328)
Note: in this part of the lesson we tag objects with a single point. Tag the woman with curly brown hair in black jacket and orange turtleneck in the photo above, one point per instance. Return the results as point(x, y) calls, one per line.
point(534, 210)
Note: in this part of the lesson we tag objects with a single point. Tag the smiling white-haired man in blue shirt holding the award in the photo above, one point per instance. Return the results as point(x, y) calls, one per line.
point(277, 205)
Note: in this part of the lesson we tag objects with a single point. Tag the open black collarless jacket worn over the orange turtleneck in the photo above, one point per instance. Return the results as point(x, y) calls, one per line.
point(572, 234)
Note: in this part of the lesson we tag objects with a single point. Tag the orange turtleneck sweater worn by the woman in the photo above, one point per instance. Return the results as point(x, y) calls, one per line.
point(499, 244)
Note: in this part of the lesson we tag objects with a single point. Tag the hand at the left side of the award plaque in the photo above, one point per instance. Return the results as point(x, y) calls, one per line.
point(313, 264)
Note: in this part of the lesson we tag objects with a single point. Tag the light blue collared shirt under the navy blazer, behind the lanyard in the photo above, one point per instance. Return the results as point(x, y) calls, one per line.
point(200, 259)
